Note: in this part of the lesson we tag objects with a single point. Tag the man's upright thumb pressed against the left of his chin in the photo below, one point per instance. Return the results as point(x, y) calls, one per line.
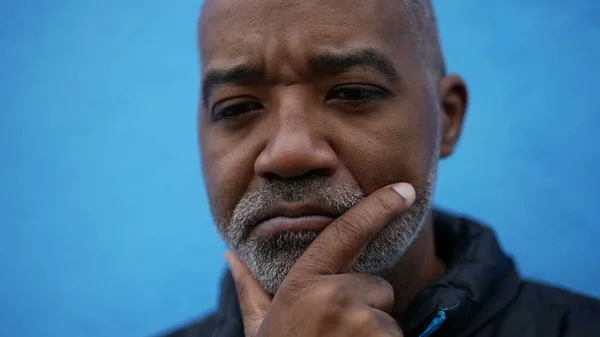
point(254, 300)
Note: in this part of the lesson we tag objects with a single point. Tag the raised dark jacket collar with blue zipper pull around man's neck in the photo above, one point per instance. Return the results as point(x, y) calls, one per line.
point(478, 274)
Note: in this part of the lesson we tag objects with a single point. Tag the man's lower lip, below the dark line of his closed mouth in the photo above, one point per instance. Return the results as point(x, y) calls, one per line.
point(281, 223)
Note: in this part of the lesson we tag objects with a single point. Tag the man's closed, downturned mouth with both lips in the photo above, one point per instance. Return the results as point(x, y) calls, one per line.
point(295, 218)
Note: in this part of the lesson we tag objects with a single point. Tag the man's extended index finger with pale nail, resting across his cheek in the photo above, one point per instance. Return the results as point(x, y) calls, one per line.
point(338, 246)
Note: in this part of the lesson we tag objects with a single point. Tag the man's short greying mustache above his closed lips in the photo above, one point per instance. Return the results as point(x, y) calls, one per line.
point(315, 189)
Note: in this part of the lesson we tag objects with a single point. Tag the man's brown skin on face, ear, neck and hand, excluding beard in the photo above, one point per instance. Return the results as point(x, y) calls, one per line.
point(334, 88)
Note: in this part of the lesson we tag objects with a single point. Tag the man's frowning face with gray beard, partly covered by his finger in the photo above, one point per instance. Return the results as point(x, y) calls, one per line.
point(307, 107)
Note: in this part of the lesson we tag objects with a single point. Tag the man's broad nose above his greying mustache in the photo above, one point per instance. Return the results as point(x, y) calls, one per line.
point(296, 148)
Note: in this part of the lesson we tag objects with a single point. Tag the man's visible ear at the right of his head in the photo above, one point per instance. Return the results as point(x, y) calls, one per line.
point(453, 103)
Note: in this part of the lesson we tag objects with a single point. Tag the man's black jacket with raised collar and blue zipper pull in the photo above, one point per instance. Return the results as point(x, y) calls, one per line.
point(481, 295)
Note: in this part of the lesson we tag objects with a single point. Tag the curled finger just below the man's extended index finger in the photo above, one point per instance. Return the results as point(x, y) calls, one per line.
point(370, 290)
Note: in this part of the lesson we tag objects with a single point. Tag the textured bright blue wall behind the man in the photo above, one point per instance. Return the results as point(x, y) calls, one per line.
point(104, 225)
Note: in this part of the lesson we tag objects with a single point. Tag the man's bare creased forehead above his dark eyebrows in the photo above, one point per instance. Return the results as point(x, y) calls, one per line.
point(251, 30)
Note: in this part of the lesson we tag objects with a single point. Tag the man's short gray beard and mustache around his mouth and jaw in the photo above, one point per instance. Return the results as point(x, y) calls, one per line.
point(270, 258)
